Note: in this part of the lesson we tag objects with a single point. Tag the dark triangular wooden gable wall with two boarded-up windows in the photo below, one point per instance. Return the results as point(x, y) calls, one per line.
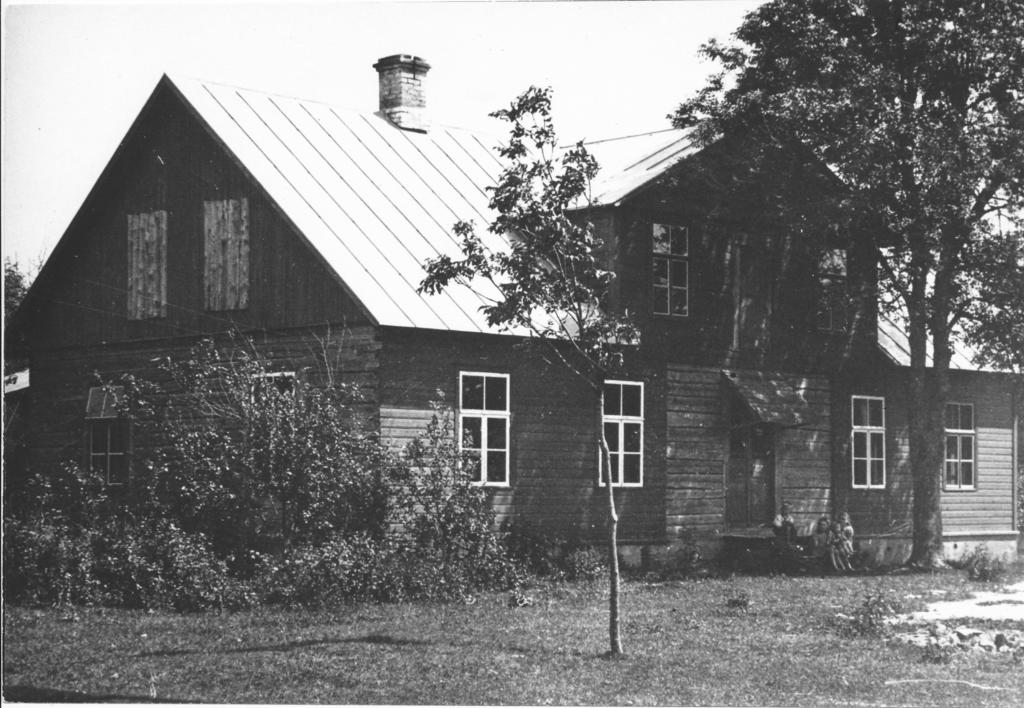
point(163, 176)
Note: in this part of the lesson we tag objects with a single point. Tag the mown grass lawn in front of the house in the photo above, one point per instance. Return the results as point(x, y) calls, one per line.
point(686, 646)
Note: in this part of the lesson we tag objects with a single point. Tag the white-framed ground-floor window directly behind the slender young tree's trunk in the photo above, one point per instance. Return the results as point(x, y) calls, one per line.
point(623, 420)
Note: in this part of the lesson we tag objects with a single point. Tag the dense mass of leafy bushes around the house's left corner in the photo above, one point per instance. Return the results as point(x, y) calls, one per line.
point(266, 492)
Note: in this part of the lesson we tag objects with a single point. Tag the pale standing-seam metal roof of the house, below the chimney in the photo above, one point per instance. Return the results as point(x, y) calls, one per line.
point(376, 201)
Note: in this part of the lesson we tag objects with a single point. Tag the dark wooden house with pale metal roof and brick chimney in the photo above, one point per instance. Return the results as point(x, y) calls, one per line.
point(290, 221)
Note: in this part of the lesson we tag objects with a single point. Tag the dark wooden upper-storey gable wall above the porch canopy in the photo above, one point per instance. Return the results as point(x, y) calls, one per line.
point(754, 287)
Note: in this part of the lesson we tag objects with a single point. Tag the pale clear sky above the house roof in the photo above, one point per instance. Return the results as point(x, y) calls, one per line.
point(76, 75)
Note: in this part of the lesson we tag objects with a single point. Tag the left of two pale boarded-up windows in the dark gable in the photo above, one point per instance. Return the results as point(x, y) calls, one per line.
point(148, 265)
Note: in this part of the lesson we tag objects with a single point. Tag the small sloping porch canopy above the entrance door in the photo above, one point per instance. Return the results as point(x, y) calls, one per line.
point(767, 398)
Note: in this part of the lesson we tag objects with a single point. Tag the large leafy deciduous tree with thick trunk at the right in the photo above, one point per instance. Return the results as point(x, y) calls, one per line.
point(918, 108)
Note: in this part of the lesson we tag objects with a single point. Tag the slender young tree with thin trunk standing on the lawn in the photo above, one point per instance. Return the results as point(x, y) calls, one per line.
point(543, 271)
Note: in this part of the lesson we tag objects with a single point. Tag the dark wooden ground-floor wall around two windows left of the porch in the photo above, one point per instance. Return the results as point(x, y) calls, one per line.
point(554, 454)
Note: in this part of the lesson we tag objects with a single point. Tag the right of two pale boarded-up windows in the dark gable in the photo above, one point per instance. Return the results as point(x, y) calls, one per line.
point(227, 254)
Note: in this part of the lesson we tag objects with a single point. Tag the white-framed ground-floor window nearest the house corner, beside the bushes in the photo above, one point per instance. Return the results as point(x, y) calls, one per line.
point(484, 425)
